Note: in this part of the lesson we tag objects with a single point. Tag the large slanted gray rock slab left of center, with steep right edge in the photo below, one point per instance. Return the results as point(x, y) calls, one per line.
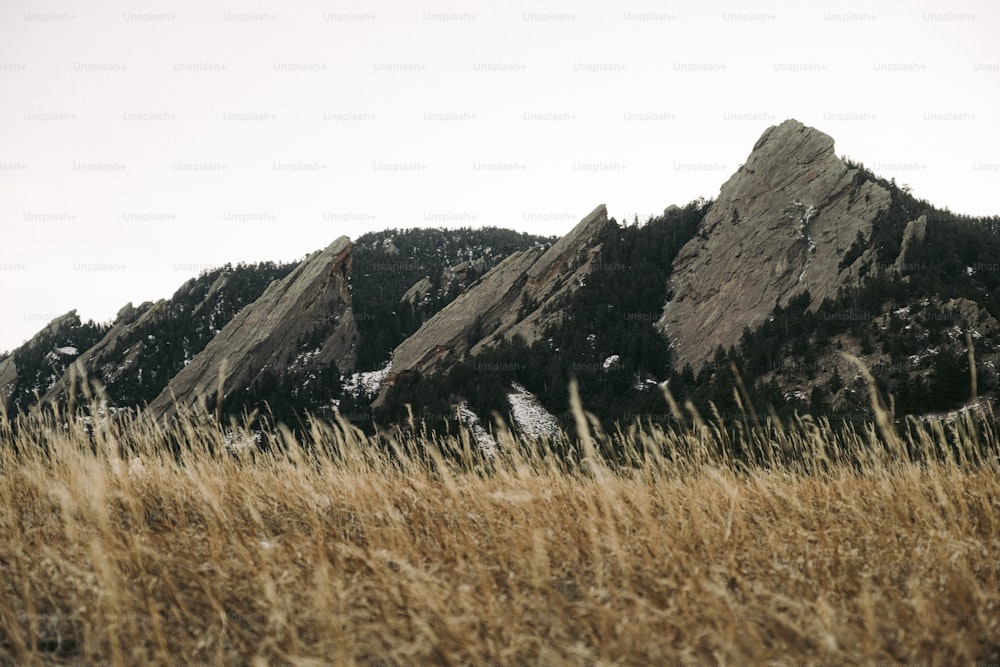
point(306, 316)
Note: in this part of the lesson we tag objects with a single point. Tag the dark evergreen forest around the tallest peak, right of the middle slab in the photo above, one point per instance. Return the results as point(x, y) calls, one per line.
point(608, 344)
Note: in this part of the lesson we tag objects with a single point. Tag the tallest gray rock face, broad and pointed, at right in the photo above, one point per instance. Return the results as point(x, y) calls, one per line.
point(780, 226)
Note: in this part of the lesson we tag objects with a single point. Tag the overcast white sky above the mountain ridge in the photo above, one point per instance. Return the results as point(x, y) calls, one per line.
point(141, 142)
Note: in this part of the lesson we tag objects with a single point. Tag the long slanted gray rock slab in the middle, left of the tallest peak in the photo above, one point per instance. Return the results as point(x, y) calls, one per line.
point(510, 299)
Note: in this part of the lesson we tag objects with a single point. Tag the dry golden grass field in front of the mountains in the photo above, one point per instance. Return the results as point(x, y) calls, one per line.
point(847, 547)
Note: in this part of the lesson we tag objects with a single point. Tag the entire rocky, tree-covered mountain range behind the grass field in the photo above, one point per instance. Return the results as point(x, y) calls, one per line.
point(803, 256)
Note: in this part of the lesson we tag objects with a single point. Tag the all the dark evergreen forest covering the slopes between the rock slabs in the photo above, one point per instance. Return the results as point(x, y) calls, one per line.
point(606, 339)
